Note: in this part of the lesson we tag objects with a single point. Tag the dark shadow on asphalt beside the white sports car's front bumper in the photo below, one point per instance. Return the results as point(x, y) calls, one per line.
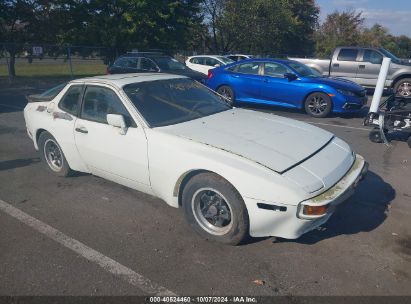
point(363, 212)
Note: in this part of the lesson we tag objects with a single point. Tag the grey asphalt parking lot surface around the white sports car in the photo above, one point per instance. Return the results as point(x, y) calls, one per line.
point(365, 248)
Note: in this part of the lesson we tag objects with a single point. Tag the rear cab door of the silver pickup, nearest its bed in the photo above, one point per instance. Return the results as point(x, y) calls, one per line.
point(345, 64)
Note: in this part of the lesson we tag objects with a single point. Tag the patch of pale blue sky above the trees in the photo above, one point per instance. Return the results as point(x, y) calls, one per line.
point(392, 14)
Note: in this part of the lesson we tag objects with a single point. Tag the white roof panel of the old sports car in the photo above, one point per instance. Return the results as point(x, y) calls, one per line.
point(120, 80)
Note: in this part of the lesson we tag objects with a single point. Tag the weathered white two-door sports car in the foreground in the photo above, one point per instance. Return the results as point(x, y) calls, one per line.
point(235, 172)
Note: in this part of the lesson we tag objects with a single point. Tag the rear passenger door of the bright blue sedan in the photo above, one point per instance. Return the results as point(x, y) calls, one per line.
point(246, 81)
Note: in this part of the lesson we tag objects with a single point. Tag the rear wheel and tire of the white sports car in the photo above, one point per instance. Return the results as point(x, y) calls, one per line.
point(52, 155)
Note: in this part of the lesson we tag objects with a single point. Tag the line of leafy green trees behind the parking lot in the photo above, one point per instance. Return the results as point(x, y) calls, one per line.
point(265, 27)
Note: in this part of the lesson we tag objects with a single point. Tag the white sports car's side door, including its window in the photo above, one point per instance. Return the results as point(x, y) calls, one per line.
point(107, 153)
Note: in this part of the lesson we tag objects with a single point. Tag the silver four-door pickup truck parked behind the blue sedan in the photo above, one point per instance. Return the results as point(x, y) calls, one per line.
point(362, 65)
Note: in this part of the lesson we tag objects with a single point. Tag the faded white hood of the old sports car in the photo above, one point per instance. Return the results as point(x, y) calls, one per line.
point(275, 142)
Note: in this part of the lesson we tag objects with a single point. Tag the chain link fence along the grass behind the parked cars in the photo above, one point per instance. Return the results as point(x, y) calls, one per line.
point(46, 60)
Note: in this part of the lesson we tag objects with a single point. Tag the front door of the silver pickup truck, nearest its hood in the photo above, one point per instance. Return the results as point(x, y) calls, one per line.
point(369, 67)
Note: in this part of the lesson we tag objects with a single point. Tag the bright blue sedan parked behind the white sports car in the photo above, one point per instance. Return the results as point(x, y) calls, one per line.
point(286, 83)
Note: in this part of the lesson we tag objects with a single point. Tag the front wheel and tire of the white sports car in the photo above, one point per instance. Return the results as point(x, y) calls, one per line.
point(208, 195)
